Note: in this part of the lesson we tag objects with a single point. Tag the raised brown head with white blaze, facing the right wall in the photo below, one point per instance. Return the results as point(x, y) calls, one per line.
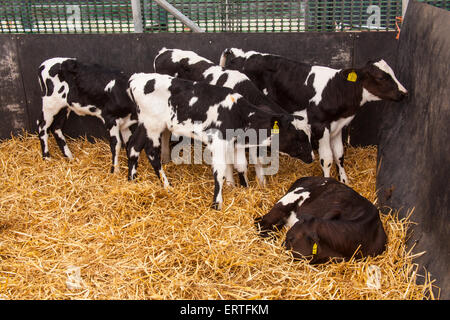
point(379, 79)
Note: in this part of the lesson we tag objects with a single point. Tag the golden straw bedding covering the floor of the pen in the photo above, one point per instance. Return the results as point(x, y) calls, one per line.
point(72, 230)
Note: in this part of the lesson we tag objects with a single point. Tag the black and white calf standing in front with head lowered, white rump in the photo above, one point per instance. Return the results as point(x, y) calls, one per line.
point(203, 112)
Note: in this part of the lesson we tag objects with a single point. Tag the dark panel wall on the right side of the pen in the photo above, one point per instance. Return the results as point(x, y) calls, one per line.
point(414, 148)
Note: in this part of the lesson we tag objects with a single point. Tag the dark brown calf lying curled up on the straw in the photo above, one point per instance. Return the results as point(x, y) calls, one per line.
point(327, 219)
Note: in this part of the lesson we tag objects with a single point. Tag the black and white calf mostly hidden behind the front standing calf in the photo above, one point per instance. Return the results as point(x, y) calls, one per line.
point(191, 66)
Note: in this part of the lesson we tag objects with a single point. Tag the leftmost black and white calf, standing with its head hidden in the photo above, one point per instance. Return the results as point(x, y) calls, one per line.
point(86, 89)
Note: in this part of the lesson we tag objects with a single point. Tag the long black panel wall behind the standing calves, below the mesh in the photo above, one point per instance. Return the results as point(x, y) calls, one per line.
point(135, 53)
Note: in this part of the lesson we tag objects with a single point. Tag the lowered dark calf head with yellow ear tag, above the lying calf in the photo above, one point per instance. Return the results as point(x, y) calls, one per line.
point(294, 140)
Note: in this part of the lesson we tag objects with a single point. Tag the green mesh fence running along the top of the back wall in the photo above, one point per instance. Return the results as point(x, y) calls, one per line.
point(116, 16)
